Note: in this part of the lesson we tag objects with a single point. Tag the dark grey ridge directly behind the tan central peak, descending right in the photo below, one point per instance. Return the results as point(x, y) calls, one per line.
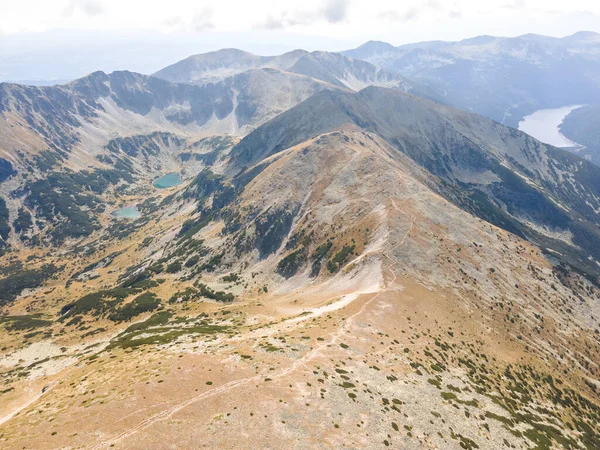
point(471, 158)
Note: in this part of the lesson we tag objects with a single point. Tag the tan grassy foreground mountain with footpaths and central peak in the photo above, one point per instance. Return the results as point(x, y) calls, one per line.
point(337, 320)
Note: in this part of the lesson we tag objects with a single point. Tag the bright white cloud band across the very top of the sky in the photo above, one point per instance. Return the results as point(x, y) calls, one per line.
point(358, 20)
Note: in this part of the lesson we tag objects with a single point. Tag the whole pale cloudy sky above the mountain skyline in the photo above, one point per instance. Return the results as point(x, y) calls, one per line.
point(56, 39)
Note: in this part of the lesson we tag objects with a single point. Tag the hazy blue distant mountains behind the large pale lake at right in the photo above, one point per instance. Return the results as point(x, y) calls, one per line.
point(501, 78)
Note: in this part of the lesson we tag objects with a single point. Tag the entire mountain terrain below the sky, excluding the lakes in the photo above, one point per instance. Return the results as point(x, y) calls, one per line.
point(362, 253)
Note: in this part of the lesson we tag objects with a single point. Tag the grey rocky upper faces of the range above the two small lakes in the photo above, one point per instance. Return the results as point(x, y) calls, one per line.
point(242, 101)
